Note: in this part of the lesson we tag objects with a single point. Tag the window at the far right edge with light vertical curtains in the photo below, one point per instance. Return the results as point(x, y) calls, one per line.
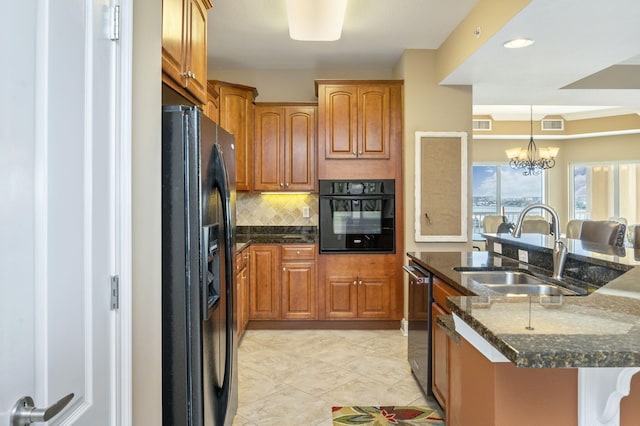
point(600, 191)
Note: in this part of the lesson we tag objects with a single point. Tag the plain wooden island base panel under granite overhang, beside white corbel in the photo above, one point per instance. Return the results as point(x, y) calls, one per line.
point(482, 393)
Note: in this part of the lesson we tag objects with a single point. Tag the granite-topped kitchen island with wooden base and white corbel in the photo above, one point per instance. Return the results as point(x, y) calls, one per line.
point(571, 358)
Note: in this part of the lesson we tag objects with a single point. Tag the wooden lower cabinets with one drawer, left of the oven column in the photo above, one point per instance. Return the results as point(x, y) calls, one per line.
point(283, 282)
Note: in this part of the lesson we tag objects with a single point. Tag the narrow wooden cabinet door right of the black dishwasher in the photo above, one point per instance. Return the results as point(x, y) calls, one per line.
point(440, 358)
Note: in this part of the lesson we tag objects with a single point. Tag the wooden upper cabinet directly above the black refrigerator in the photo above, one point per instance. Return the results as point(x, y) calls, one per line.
point(184, 47)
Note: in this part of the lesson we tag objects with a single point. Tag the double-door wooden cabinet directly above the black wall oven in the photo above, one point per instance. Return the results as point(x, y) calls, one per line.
point(356, 119)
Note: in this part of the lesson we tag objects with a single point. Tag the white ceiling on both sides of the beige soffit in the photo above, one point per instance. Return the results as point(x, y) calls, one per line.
point(576, 43)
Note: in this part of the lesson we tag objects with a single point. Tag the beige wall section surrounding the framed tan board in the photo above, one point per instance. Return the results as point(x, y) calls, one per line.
point(428, 107)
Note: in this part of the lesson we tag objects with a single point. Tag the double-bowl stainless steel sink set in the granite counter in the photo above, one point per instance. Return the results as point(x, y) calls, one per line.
point(514, 283)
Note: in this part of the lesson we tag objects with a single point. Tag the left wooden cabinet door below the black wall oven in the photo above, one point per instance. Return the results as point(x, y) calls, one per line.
point(341, 297)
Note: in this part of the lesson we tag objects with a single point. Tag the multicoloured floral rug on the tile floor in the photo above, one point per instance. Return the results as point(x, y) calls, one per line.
point(383, 416)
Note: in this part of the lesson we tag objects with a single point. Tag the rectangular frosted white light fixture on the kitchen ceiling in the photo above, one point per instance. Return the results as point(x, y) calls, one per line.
point(316, 20)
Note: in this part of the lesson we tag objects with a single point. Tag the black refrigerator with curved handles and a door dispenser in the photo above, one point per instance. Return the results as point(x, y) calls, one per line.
point(199, 332)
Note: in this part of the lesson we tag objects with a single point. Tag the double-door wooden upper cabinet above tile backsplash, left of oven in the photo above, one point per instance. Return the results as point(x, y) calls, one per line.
point(285, 147)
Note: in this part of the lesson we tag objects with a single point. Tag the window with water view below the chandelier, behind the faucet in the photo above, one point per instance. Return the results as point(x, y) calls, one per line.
point(499, 189)
